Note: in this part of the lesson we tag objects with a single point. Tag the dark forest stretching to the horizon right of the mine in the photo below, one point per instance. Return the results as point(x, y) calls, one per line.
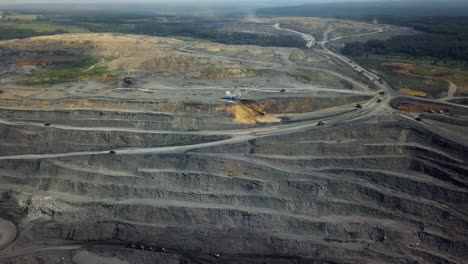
point(443, 28)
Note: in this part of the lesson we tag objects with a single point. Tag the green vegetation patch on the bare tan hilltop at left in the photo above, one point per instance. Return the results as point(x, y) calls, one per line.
point(69, 72)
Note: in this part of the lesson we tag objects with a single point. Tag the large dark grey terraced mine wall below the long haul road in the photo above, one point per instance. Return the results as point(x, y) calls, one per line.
point(344, 193)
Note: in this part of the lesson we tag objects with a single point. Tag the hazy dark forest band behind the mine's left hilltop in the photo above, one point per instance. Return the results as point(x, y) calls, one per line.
point(144, 24)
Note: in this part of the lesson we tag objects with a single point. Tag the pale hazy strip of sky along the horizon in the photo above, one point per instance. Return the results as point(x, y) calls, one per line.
point(218, 7)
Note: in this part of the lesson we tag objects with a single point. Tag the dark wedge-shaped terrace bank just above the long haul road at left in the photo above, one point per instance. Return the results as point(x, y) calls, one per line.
point(37, 140)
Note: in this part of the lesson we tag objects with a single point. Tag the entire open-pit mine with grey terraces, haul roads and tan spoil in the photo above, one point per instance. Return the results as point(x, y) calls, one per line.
point(123, 149)
